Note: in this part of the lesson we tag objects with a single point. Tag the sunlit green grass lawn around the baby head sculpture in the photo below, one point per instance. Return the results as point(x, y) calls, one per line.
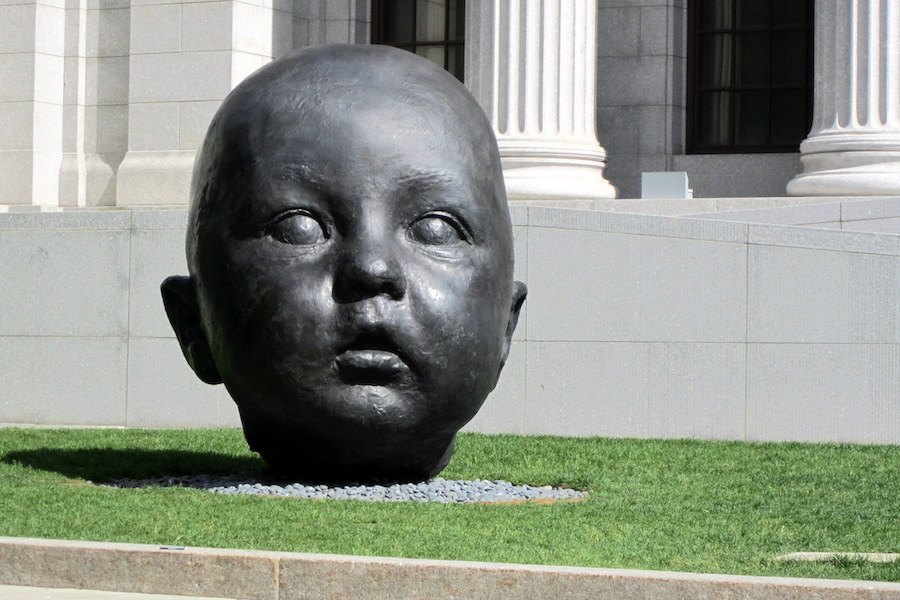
point(714, 507)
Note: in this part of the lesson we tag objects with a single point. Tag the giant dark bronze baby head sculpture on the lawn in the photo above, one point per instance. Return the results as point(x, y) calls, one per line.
point(351, 257)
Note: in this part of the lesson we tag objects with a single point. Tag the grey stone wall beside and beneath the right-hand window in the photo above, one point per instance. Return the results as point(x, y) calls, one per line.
point(641, 104)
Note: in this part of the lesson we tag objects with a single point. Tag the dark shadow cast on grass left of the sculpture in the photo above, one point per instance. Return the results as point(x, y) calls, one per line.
point(104, 464)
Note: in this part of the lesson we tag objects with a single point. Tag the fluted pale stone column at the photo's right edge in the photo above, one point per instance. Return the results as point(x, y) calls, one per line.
point(854, 145)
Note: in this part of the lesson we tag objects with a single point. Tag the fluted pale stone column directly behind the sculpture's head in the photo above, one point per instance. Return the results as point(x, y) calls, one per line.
point(532, 64)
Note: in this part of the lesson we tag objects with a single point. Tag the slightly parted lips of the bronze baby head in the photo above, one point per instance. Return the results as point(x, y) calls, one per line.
point(371, 360)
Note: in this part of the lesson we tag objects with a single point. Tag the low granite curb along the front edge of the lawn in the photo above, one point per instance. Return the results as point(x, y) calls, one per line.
point(284, 576)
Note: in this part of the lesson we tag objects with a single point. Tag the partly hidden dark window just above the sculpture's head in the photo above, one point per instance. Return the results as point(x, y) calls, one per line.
point(434, 29)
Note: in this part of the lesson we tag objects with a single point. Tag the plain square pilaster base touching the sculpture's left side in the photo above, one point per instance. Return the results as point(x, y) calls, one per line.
point(151, 178)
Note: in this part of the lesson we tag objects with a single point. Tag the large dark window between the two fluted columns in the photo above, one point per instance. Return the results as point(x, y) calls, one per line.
point(749, 75)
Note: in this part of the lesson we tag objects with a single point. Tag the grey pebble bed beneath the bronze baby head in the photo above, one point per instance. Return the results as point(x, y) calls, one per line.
point(434, 490)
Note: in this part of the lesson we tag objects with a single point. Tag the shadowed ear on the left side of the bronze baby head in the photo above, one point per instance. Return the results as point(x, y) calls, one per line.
point(180, 300)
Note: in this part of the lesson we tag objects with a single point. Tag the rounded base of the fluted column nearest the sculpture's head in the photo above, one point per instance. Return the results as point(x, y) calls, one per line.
point(538, 170)
